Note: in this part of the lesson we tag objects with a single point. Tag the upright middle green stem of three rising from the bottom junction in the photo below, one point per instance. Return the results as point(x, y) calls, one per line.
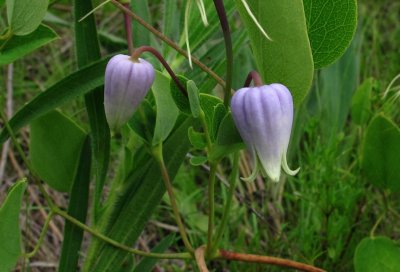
point(211, 207)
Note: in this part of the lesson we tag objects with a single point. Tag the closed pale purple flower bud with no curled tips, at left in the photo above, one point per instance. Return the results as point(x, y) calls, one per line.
point(126, 84)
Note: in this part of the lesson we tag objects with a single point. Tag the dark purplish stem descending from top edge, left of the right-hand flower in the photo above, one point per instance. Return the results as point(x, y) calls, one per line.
point(219, 6)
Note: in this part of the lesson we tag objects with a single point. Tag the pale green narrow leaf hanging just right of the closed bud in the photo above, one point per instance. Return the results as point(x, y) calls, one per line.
point(167, 112)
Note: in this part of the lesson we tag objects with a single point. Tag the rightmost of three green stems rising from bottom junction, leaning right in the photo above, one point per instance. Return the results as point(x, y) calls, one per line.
point(225, 216)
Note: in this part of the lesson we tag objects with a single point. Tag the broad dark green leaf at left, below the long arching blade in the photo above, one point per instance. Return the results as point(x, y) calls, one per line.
point(55, 146)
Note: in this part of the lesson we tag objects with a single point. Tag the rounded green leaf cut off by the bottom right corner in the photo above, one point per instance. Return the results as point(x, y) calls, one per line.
point(377, 254)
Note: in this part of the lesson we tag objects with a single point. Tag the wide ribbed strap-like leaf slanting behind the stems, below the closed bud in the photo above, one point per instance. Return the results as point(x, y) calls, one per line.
point(131, 205)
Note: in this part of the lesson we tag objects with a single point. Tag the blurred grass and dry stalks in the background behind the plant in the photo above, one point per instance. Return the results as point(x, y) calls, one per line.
point(318, 216)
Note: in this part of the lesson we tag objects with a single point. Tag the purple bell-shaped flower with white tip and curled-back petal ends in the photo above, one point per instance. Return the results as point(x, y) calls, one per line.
point(264, 116)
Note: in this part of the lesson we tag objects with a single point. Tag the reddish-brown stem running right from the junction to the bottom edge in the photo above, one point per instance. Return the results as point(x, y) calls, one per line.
point(251, 258)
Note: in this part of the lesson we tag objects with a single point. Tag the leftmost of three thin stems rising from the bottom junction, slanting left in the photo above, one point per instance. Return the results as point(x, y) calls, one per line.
point(157, 152)
